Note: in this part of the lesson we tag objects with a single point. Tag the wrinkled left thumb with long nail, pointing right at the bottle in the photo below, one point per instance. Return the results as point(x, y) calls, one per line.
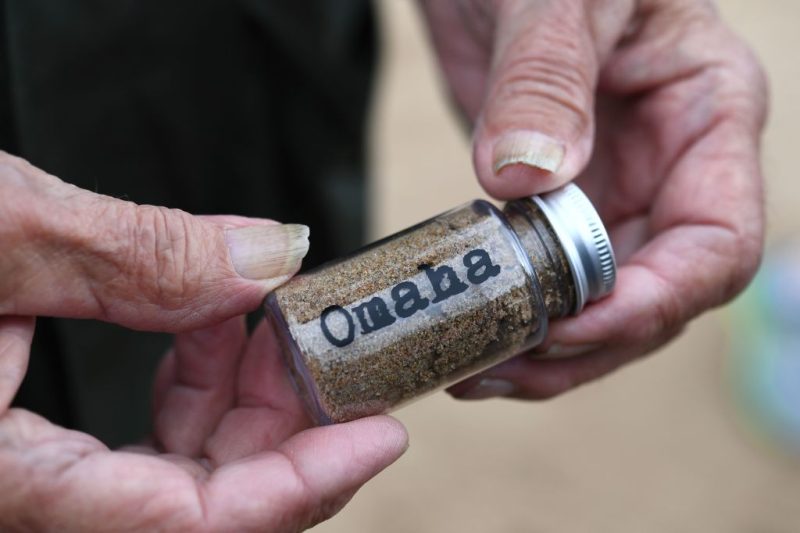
point(69, 252)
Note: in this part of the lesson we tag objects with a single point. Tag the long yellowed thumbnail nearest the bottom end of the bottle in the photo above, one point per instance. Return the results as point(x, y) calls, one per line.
point(264, 252)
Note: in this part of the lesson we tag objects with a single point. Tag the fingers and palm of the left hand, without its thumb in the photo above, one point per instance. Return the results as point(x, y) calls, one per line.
point(230, 453)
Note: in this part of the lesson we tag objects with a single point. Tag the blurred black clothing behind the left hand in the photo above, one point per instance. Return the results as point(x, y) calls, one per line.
point(252, 107)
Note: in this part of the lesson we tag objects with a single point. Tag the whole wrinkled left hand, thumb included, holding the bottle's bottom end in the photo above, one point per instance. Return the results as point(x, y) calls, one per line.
point(229, 452)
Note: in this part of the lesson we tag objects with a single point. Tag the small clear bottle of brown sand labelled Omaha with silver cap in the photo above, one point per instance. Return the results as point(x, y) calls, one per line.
point(438, 302)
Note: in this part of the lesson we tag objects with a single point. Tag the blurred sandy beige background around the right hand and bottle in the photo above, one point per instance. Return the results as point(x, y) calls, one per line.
point(697, 437)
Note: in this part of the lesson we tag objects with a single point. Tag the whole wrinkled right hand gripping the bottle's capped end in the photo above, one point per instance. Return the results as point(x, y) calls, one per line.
point(656, 108)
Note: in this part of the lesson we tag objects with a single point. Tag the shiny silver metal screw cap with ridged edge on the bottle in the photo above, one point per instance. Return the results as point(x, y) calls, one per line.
point(584, 240)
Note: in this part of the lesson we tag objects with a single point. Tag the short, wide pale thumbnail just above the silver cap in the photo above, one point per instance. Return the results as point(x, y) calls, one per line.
point(529, 148)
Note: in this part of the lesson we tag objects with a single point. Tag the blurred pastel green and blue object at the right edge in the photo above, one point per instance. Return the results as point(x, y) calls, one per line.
point(765, 349)
